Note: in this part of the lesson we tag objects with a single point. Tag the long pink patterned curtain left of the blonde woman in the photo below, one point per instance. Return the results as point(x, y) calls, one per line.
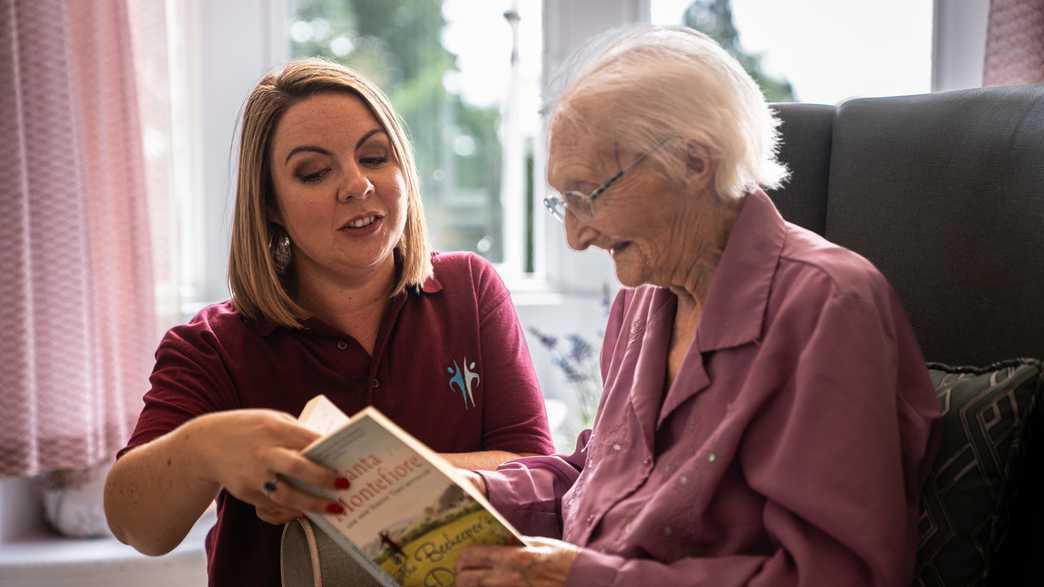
point(76, 275)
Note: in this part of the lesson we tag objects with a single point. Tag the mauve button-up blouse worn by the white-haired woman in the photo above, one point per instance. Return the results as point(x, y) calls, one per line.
point(790, 450)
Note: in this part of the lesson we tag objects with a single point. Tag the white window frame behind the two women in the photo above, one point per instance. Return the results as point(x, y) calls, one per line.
point(243, 42)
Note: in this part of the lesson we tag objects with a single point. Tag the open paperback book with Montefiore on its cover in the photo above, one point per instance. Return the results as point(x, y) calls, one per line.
point(409, 514)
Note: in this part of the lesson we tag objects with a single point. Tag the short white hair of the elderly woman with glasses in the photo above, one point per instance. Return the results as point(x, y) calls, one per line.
point(673, 82)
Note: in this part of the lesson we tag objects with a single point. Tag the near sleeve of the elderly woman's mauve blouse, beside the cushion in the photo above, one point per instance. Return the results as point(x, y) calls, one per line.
point(839, 454)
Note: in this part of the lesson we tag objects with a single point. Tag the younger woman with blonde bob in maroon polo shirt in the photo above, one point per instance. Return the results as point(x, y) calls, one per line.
point(335, 289)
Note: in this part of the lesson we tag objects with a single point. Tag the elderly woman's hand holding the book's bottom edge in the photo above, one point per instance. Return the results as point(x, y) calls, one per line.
point(543, 563)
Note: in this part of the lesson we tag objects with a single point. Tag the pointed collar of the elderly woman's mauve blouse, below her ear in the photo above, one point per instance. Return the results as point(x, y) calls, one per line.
point(735, 308)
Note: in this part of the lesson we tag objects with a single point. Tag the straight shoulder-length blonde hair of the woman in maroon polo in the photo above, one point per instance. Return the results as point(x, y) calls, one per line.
point(256, 287)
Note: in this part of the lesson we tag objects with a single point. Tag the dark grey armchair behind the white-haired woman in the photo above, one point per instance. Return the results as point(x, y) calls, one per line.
point(945, 195)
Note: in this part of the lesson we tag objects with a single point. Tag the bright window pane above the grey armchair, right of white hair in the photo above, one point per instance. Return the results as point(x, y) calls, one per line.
point(821, 51)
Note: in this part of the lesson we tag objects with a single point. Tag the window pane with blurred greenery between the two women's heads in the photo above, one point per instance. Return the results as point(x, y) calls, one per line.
point(465, 77)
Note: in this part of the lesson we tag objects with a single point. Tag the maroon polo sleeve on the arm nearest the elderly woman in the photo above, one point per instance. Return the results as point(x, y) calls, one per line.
point(514, 418)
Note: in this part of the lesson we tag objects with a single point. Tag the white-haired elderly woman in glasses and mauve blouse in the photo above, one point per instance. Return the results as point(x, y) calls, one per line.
point(767, 416)
